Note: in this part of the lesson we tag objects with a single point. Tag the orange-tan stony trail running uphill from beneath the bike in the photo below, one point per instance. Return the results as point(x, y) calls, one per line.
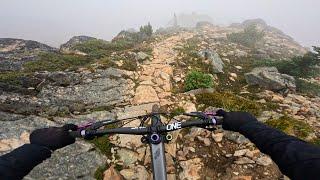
point(197, 154)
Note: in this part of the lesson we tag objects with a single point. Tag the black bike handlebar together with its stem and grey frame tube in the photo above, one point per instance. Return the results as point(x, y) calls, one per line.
point(155, 134)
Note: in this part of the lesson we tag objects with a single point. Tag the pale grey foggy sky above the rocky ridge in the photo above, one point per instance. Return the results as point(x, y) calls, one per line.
point(54, 22)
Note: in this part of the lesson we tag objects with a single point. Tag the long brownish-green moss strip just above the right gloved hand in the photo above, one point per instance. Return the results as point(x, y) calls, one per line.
point(230, 101)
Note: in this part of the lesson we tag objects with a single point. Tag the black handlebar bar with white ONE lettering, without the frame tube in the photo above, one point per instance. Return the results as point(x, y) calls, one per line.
point(202, 121)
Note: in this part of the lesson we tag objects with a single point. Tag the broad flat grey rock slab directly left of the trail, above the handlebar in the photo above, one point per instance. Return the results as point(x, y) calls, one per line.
point(101, 92)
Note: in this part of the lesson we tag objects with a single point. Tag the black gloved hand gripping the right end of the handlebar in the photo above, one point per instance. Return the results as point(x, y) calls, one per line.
point(234, 120)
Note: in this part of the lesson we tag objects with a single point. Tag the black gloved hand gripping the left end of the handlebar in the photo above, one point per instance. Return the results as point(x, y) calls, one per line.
point(53, 137)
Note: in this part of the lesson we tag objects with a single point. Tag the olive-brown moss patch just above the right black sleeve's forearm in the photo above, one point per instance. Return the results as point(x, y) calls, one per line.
point(291, 126)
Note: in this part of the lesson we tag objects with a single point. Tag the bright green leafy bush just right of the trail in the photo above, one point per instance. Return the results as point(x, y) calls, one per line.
point(197, 79)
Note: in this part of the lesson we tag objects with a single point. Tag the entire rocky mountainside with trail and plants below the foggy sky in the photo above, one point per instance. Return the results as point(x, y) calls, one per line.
point(248, 66)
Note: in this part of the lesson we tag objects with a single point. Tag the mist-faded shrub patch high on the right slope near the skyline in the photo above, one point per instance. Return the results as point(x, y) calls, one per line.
point(249, 37)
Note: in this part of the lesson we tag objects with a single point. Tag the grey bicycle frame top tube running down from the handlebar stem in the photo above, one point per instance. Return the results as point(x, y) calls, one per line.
point(157, 151)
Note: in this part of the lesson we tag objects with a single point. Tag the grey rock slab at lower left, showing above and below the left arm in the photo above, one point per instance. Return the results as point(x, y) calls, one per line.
point(76, 161)
